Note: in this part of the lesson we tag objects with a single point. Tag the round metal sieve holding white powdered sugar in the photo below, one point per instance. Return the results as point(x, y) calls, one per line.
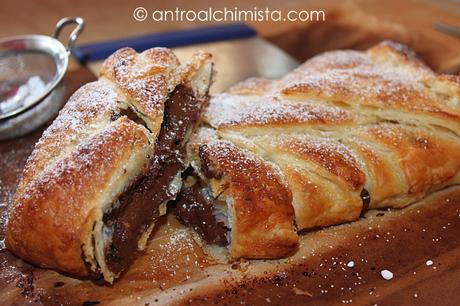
point(31, 72)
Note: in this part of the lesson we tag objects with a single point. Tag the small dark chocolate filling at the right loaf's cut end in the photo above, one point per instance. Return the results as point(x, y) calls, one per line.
point(195, 210)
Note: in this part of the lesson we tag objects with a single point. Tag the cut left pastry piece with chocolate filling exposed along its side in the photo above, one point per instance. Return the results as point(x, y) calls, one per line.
point(101, 174)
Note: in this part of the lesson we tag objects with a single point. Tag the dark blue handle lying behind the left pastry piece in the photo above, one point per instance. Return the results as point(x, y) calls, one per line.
point(101, 50)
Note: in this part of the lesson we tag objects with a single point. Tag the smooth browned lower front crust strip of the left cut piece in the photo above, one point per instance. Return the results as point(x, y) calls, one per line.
point(54, 213)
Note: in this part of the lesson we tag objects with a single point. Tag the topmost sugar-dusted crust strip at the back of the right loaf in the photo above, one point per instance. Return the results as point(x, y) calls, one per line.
point(363, 80)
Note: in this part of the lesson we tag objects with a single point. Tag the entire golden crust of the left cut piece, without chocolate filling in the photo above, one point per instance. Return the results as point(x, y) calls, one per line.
point(91, 154)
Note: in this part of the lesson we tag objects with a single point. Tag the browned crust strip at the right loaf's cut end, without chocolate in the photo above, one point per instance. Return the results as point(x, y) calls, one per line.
point(259, 201)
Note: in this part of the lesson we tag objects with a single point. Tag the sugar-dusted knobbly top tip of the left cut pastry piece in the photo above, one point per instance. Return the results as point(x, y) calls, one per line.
point(147, 78)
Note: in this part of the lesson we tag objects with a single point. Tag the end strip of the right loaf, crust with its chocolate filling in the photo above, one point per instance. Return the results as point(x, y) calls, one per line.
point(232, 202)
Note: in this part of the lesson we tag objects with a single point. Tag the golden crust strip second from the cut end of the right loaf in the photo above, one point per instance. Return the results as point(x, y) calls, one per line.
point(323, 174)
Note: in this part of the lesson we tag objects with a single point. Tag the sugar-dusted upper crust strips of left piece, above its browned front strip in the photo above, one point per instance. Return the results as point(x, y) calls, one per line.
point(96, 105)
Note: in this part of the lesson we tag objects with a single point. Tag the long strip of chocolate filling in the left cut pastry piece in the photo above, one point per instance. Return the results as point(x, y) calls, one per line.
point(138, 206)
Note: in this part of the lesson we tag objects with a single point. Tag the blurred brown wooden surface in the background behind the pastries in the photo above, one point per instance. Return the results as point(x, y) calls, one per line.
point(408, 21)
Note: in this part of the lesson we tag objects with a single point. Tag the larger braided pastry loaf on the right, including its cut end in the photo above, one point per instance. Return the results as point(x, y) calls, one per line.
point(344, 132)
